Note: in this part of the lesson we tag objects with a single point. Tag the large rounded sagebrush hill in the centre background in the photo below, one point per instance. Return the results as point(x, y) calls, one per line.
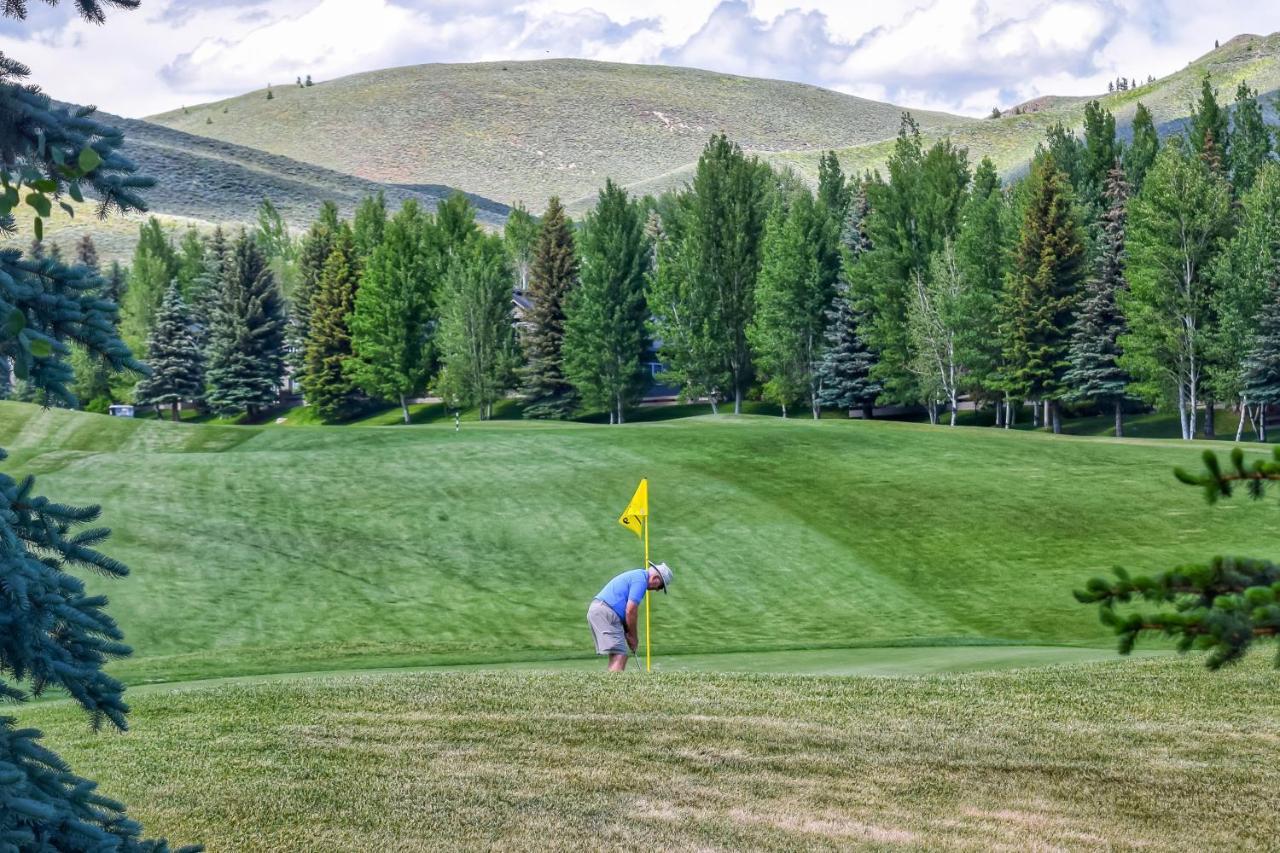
point(528, 130)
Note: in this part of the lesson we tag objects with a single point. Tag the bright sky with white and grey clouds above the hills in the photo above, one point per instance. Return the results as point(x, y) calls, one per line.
point(957, 56)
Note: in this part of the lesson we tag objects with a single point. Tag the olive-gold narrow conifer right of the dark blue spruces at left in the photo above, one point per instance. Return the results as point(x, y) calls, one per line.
point(327, 385)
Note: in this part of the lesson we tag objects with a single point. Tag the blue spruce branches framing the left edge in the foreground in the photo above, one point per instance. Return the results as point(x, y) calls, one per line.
point(56, 635)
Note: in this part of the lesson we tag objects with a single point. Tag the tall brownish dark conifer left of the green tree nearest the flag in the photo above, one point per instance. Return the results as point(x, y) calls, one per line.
point(552, 277)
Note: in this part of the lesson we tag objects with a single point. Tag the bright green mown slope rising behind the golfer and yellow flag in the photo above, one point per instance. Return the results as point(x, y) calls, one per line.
point(267, 550)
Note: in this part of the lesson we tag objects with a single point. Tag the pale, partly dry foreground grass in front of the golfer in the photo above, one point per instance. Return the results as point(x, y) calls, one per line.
point(1154, 755)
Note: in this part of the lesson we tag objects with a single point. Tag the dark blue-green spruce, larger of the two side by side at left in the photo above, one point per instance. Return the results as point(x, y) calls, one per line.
point(246, 340)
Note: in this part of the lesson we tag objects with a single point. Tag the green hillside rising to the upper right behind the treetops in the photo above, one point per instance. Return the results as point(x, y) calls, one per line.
point(1011, 142)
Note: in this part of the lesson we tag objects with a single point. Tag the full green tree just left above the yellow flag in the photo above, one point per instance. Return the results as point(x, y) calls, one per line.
point(605, 325)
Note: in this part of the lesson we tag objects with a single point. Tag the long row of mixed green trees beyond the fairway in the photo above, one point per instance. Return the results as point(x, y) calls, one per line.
point(1116, 273)
